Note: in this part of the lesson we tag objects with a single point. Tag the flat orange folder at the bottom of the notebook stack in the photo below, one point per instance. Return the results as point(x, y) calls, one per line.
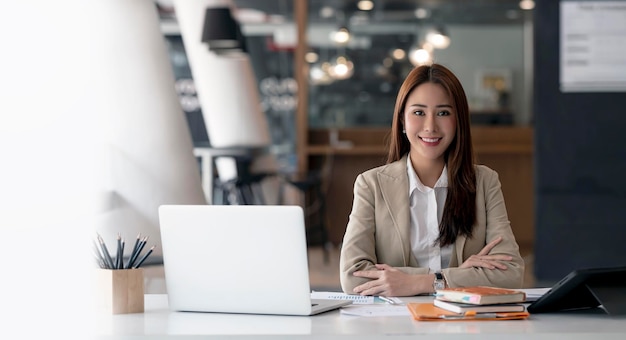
point(428, 312)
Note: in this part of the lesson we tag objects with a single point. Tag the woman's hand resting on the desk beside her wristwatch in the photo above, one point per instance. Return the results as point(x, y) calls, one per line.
point(388, 281)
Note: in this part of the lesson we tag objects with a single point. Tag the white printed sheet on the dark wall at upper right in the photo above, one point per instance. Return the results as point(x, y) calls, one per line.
point(593, 46)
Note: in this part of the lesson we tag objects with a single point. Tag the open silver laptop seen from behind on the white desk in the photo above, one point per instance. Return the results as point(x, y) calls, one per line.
point(238, 259)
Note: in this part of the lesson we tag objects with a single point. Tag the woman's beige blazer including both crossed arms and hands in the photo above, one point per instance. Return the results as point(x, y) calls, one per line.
point(375, 252)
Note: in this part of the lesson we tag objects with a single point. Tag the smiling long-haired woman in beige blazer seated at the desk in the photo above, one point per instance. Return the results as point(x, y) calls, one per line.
point(420, 221)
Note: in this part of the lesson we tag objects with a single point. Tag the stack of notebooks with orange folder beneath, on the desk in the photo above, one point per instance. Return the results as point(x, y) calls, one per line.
point(471, 303)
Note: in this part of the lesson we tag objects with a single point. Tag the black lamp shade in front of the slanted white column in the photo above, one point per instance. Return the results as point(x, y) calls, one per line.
point(221, 32)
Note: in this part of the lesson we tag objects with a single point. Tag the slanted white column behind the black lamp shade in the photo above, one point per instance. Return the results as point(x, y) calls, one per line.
point(227, 91)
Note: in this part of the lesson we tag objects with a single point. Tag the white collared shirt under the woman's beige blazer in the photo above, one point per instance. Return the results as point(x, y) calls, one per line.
point(426, 205)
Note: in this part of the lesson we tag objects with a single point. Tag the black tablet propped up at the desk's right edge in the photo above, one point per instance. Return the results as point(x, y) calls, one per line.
point(586, 288)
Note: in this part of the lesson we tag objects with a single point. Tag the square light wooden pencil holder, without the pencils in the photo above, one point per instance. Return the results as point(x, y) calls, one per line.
point(121, 290)
